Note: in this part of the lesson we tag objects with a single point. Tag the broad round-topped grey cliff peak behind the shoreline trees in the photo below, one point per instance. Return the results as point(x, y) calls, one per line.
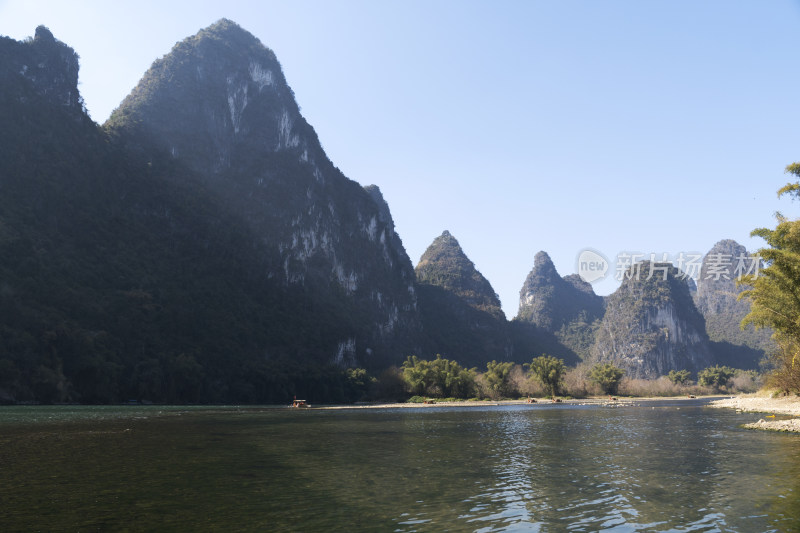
point(651, 326)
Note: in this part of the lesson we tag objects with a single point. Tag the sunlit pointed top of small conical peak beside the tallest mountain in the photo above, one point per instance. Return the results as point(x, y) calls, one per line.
point(445, 265)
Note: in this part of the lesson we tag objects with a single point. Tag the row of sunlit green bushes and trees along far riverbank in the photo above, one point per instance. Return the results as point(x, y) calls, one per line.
point(441, 379)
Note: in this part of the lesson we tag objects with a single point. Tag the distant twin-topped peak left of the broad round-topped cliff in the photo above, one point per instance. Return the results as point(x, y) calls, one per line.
point(566, 307)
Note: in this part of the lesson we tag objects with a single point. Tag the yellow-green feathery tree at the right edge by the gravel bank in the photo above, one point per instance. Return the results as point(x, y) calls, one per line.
point(774, 291)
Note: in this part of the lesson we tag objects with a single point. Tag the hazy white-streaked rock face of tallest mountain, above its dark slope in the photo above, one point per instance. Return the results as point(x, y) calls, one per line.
point(219, 104)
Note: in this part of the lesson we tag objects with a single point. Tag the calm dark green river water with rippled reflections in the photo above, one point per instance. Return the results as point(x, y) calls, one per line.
point(666, 466)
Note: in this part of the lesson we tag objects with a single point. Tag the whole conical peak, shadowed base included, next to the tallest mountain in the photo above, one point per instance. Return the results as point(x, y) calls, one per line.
point(460, 311)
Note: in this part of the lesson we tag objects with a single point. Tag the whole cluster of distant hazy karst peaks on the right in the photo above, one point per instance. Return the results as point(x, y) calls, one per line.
point(647, 326)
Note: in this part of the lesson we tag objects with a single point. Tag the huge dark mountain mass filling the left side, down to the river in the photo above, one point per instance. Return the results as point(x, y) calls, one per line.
point(199, 247)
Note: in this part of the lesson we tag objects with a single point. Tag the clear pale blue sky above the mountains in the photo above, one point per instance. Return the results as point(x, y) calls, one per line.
point(519, 126)
